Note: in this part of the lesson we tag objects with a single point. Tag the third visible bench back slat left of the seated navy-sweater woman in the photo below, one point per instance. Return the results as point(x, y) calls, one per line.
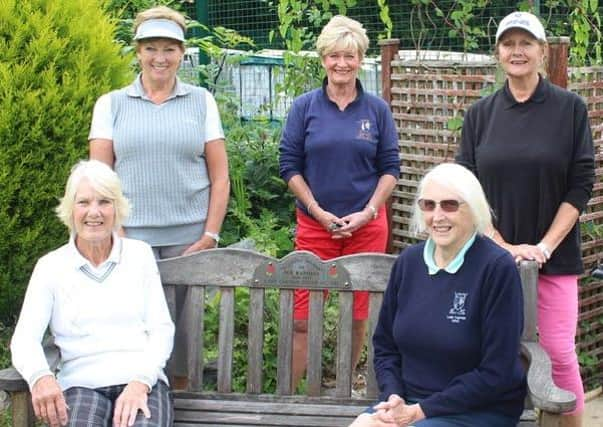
point(315, 338)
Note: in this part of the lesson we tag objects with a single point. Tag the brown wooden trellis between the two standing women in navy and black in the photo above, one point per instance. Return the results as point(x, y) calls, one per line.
point(425, 96)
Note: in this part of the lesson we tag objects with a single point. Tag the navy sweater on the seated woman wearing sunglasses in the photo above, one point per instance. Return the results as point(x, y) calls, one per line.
point(451, 341)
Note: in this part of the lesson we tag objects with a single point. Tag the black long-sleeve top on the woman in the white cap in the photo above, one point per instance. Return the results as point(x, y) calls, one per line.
point(530, 157)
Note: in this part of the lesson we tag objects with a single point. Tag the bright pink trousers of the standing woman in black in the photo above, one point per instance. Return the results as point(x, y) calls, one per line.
point(557, 321)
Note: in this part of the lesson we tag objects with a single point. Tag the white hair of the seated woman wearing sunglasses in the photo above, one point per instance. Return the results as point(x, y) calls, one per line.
point(463, 184)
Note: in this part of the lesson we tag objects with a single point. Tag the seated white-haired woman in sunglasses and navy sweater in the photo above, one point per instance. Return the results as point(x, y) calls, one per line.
point(447, 339)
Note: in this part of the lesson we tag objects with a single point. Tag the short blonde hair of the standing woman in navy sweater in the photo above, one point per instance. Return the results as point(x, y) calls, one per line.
point(342, 33)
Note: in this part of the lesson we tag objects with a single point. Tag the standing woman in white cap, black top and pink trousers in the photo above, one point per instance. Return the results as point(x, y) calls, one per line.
point(530, 146)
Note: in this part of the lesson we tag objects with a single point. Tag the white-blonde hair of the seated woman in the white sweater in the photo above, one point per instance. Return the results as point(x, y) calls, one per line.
point(104, 180)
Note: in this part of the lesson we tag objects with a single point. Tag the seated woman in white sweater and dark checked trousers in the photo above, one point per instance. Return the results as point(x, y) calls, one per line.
point(101, 297)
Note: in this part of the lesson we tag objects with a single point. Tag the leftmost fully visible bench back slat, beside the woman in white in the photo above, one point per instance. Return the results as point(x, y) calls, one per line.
point(193, 314)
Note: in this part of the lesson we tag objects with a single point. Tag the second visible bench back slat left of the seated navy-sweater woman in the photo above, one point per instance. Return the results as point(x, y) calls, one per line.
point(343, 386)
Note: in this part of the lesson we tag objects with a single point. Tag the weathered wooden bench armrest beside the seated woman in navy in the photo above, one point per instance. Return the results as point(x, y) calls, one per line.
point(543, 392)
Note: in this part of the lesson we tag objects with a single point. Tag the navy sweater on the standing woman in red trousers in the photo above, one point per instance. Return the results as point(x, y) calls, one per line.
point(340, 154)
